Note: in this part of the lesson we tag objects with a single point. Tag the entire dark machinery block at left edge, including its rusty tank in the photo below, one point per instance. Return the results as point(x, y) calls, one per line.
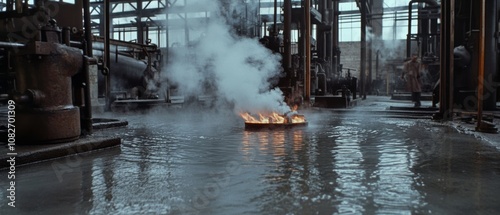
point(46, 75)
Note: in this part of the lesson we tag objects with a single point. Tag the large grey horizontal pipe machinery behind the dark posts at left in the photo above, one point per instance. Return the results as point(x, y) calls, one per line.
point(135, 69)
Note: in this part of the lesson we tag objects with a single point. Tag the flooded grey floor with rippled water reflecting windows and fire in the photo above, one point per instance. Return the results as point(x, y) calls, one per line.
point(178, 163)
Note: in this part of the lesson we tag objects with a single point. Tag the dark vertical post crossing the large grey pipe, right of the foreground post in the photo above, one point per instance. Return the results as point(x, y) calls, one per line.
point(107, 55)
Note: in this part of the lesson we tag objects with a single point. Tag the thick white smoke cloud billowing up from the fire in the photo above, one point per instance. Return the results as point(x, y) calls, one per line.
point(234, 69)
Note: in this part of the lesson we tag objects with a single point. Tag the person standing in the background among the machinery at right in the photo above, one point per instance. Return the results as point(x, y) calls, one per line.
point(411, 73)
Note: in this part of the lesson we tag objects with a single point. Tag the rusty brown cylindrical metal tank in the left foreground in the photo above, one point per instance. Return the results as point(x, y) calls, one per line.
point(44, 100)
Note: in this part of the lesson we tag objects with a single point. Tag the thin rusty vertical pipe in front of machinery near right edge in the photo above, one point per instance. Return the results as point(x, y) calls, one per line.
point(480, 86)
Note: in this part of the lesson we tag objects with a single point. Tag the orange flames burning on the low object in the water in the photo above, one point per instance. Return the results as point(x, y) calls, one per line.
point(274, 118)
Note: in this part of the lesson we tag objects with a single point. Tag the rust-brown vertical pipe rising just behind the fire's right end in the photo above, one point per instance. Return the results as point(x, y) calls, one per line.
point(307, 69)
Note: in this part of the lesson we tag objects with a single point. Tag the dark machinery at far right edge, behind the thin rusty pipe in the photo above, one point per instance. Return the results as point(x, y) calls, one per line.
point(468, 55)
